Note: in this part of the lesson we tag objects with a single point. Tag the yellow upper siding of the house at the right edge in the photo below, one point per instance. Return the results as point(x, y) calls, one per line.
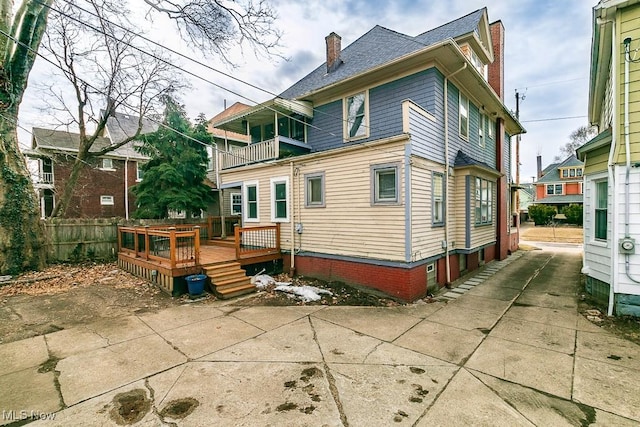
point(629, 27)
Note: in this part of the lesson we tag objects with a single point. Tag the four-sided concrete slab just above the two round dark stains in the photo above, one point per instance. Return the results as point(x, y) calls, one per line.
point(86, 375)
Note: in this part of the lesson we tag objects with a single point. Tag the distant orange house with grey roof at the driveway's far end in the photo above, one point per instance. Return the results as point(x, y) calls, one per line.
point(560, 184)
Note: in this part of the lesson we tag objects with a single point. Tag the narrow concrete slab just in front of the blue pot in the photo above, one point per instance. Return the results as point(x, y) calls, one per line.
point(175, 317)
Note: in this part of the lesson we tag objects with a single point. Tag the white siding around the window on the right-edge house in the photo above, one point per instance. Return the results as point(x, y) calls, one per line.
point(597, 253)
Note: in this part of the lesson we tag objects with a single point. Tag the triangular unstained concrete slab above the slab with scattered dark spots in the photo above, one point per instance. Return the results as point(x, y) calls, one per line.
point(293, 342)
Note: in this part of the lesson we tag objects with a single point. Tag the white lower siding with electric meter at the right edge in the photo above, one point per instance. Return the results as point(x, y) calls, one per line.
point(625, 284)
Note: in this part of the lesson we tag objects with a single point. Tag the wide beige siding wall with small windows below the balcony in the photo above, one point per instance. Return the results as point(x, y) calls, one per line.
point(348, 224)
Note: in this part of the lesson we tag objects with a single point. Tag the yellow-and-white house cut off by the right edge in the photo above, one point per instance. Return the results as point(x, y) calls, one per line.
point(612, 158)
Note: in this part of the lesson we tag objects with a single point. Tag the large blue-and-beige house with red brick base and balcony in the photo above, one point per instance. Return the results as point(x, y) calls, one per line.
point(387, 166)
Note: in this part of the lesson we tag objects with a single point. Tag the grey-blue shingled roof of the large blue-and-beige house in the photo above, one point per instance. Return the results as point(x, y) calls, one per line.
point(377, 47)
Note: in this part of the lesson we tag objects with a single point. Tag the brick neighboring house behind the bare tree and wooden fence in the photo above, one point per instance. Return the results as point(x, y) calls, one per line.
point(104, 186)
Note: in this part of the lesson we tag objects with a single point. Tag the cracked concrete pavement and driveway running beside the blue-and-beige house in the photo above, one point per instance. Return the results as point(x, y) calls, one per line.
point(505, 348)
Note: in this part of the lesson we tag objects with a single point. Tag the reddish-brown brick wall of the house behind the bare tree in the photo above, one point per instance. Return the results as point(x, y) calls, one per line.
point(93, 183)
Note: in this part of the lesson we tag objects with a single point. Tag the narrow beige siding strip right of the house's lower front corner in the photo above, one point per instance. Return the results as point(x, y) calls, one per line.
point(426, 239)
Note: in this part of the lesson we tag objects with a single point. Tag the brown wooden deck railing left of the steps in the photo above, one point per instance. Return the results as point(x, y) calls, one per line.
point(178, 246)
